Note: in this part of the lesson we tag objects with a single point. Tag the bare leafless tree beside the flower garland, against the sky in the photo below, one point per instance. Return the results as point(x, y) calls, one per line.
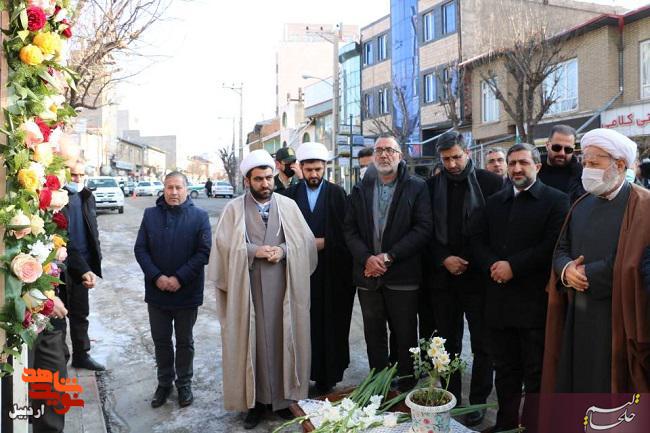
point(107, 34)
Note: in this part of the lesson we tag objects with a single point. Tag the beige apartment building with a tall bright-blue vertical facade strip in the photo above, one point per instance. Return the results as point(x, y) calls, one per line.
point(409, 55)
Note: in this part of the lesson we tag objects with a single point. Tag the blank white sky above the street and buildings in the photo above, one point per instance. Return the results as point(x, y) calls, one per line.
point(209, 42)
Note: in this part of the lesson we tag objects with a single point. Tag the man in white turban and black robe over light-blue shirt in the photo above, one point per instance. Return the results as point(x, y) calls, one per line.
point(323, 204)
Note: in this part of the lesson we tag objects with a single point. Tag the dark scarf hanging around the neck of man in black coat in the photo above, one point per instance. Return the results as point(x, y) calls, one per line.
point(474, 201)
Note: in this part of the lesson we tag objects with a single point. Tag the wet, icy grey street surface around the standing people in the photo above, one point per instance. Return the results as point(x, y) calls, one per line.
point(121, 339)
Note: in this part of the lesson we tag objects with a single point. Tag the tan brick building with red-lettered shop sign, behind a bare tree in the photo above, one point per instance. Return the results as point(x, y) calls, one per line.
point(603, 80)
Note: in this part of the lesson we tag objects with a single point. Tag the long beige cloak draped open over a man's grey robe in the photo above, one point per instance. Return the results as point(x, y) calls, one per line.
point(228, 271)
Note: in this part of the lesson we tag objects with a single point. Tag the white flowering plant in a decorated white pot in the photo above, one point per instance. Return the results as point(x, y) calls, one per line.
point(431, 406)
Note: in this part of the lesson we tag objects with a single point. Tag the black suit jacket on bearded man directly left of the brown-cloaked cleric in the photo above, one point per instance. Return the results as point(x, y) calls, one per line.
point(522, 231)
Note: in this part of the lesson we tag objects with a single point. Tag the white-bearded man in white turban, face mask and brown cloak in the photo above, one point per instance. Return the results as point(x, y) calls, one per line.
point(598, 329)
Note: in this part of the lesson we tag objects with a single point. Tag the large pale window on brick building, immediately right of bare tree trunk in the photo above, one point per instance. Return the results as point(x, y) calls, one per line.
point(562, 86)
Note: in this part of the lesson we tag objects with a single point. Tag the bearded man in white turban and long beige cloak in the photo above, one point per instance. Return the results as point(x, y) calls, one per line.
point(260, 263)
